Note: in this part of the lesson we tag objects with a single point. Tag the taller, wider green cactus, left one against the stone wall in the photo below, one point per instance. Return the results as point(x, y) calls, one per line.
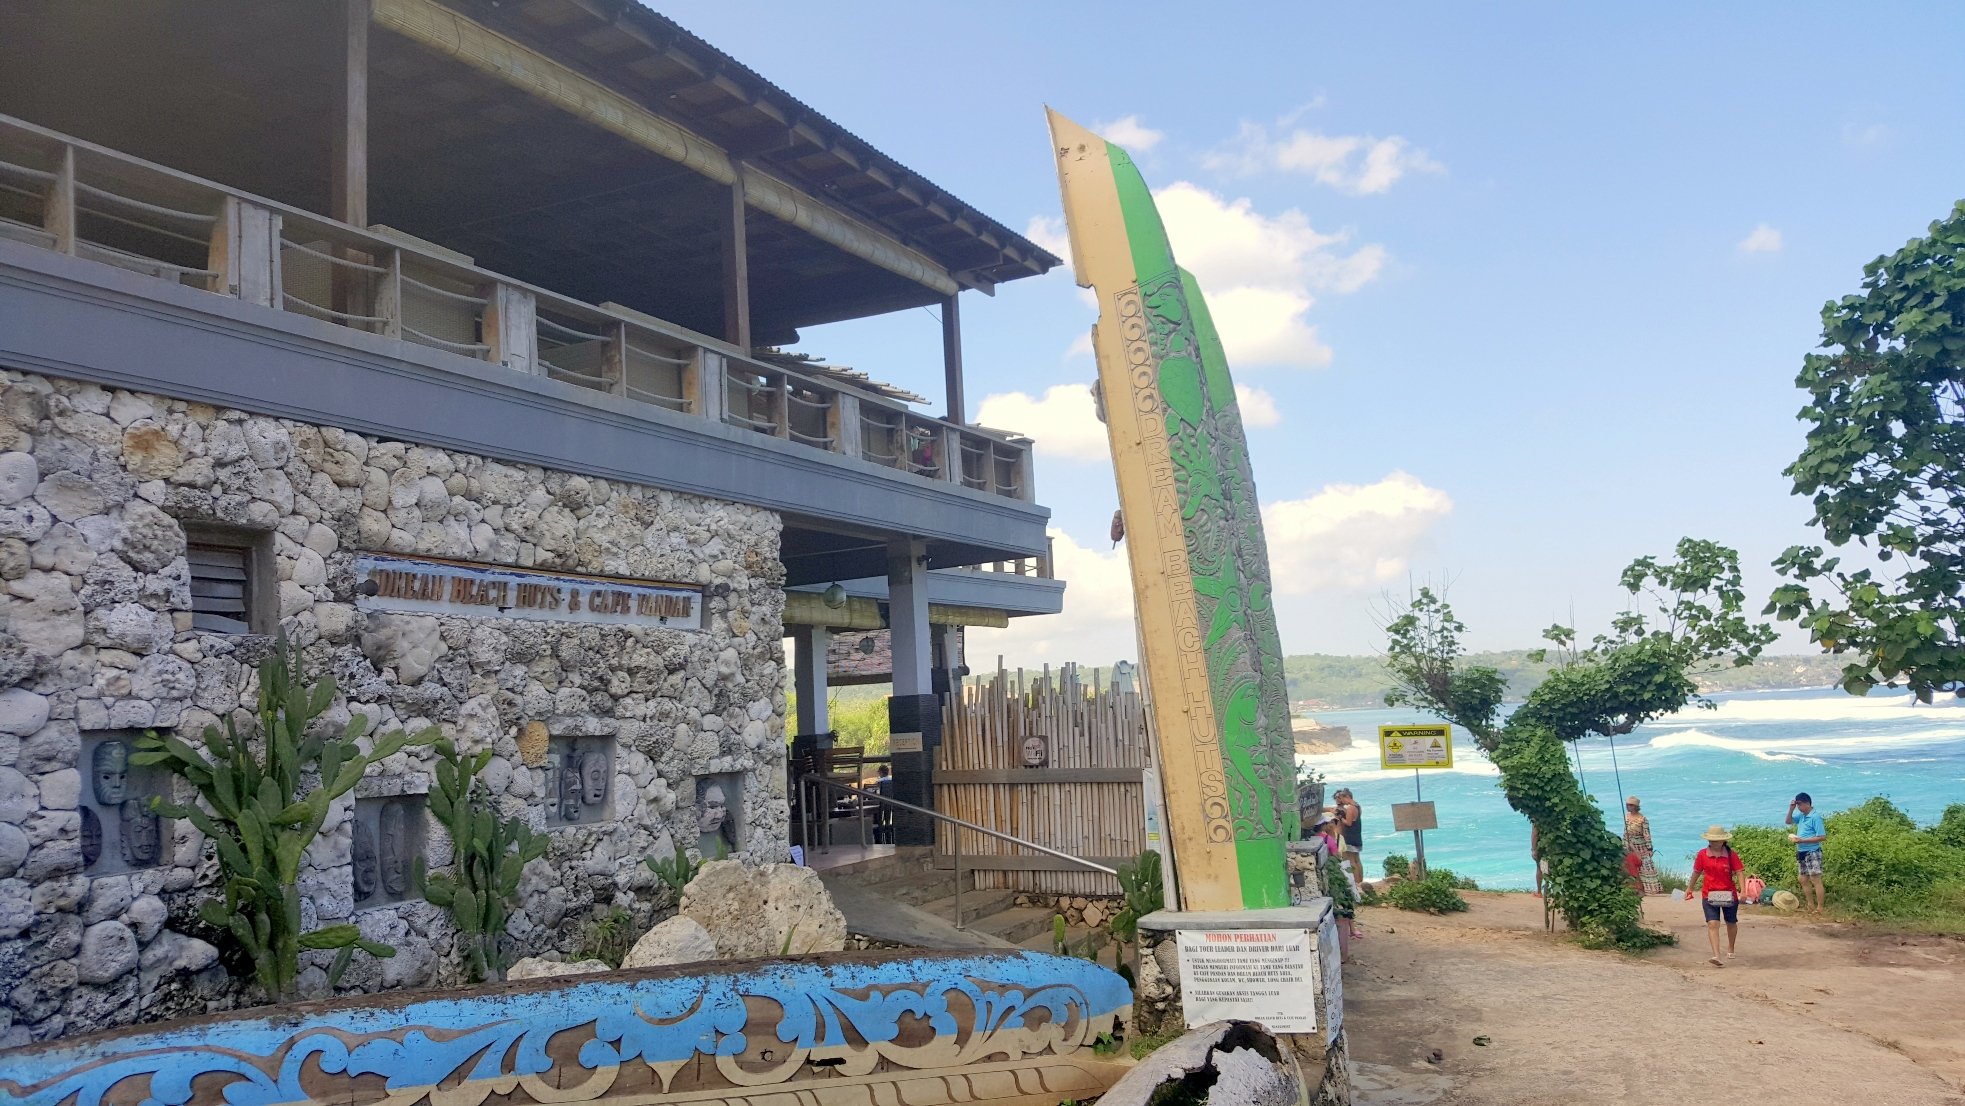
point(254, 814)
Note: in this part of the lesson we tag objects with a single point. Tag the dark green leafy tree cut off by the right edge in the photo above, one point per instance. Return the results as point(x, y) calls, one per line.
point(1885, 465)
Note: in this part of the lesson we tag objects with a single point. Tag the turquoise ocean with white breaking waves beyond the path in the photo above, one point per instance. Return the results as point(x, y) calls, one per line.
point(1738, 763)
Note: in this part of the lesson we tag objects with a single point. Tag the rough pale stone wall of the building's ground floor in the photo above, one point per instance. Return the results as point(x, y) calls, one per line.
point(97, 490)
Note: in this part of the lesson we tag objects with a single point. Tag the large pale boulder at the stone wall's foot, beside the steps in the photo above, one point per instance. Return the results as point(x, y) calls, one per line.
point(765, 911)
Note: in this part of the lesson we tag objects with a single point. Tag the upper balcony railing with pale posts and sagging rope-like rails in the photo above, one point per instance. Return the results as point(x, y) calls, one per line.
point(80, 199)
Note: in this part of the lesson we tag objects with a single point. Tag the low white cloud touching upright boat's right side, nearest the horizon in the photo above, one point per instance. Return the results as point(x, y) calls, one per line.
point(1351, 535)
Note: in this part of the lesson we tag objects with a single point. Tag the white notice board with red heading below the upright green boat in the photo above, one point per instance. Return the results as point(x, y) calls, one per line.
point(1251, 975)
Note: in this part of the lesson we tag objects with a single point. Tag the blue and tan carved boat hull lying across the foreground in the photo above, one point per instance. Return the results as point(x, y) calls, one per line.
point(936, 1028)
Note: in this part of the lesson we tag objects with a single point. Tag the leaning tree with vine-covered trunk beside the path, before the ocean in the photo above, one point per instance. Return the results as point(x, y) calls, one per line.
point(1683, 616)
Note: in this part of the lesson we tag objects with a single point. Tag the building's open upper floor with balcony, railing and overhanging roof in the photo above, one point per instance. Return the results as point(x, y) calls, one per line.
point(553, 231)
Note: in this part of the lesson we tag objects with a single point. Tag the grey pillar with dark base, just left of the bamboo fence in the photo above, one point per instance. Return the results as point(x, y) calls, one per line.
point(915, 708)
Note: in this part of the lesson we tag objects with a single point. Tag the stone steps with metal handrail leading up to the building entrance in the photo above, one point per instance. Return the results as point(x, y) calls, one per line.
point(907, 901)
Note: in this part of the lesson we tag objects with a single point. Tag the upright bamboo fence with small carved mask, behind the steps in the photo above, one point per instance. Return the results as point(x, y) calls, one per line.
point(1088, 801)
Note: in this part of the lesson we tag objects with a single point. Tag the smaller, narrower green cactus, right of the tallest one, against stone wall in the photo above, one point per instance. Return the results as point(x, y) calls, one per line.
point(488, 856)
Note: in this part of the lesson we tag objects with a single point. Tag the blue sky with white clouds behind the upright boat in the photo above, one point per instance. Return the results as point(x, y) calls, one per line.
point(1561, 264)
